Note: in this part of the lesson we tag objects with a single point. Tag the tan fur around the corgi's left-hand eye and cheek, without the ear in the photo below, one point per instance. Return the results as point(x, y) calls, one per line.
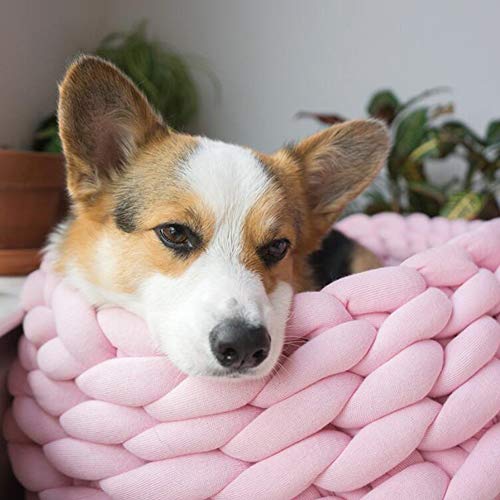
point(162, 200)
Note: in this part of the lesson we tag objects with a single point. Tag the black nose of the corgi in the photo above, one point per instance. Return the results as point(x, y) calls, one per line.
point(237, 344)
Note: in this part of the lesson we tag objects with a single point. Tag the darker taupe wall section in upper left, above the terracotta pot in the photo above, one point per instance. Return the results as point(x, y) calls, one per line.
point(37, 39)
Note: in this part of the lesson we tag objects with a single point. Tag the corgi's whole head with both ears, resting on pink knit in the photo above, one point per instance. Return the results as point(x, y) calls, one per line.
point(206, 241)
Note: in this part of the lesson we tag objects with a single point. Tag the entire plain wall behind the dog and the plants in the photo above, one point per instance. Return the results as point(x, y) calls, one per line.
point(272, 57)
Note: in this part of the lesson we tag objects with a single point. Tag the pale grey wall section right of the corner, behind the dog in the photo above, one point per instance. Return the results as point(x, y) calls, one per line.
point(275, 57)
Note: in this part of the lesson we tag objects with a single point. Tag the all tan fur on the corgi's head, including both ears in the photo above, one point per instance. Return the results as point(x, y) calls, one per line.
point(120, 157)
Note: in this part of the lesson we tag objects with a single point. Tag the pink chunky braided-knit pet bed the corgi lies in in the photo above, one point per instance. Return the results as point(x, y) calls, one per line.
point(395, 394)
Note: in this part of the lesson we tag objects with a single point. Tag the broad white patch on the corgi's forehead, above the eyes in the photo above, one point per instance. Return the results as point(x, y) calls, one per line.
point(229, 179)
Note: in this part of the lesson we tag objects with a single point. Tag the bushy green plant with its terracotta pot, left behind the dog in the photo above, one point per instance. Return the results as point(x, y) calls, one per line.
point(32, 183)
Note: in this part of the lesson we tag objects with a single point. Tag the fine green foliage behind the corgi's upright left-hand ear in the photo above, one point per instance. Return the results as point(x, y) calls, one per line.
point(161, 74)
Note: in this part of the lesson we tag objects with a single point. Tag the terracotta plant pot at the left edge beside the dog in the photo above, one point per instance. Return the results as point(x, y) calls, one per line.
point(32, 200)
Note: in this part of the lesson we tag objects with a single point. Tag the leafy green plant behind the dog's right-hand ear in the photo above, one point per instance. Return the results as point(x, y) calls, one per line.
point(420, 133)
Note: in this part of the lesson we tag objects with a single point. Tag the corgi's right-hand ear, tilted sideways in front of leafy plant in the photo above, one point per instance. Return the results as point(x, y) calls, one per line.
point(338, 163)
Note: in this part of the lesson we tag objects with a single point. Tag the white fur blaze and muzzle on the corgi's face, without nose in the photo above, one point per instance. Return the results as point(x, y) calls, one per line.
point(182, 311)
